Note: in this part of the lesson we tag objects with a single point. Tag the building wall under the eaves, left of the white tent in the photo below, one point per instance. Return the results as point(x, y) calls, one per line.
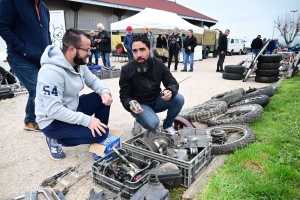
point(88, 16)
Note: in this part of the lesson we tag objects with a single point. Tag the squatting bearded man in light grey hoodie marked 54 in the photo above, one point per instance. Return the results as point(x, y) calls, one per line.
point(65, 117)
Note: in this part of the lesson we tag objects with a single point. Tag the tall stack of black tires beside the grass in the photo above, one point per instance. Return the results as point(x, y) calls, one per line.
point(268, 68)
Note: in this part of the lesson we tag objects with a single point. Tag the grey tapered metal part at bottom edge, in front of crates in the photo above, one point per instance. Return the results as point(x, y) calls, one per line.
point(152, 190)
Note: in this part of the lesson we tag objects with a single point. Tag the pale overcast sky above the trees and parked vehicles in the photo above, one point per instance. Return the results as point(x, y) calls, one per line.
point(244, 18)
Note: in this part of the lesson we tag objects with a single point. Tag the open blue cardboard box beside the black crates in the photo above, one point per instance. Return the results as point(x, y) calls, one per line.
point(105, 147)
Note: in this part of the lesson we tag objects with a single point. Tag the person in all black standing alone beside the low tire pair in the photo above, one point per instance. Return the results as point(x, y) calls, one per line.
point(222, 49)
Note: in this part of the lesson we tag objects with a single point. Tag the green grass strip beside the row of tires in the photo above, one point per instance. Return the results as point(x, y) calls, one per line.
point(270, 167)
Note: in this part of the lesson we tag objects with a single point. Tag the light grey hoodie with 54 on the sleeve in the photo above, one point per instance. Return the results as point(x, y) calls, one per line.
point(58, 87)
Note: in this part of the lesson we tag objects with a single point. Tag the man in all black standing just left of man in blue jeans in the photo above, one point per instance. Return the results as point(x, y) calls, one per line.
point(175, 45)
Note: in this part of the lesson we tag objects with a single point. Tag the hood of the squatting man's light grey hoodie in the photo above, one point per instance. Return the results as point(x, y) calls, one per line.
point(53, 55)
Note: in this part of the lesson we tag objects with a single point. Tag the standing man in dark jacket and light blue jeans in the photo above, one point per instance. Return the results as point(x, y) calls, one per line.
point(190, 43)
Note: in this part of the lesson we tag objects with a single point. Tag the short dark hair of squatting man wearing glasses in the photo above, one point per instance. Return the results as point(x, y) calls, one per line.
point(72, 37)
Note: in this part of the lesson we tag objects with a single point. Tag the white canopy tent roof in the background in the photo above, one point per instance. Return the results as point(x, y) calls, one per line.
point(158, 21)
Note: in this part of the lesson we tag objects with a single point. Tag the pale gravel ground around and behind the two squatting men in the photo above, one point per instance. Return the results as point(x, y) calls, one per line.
point(24, 158)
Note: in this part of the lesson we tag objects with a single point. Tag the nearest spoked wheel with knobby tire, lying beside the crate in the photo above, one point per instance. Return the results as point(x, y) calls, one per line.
point(238, 136)
